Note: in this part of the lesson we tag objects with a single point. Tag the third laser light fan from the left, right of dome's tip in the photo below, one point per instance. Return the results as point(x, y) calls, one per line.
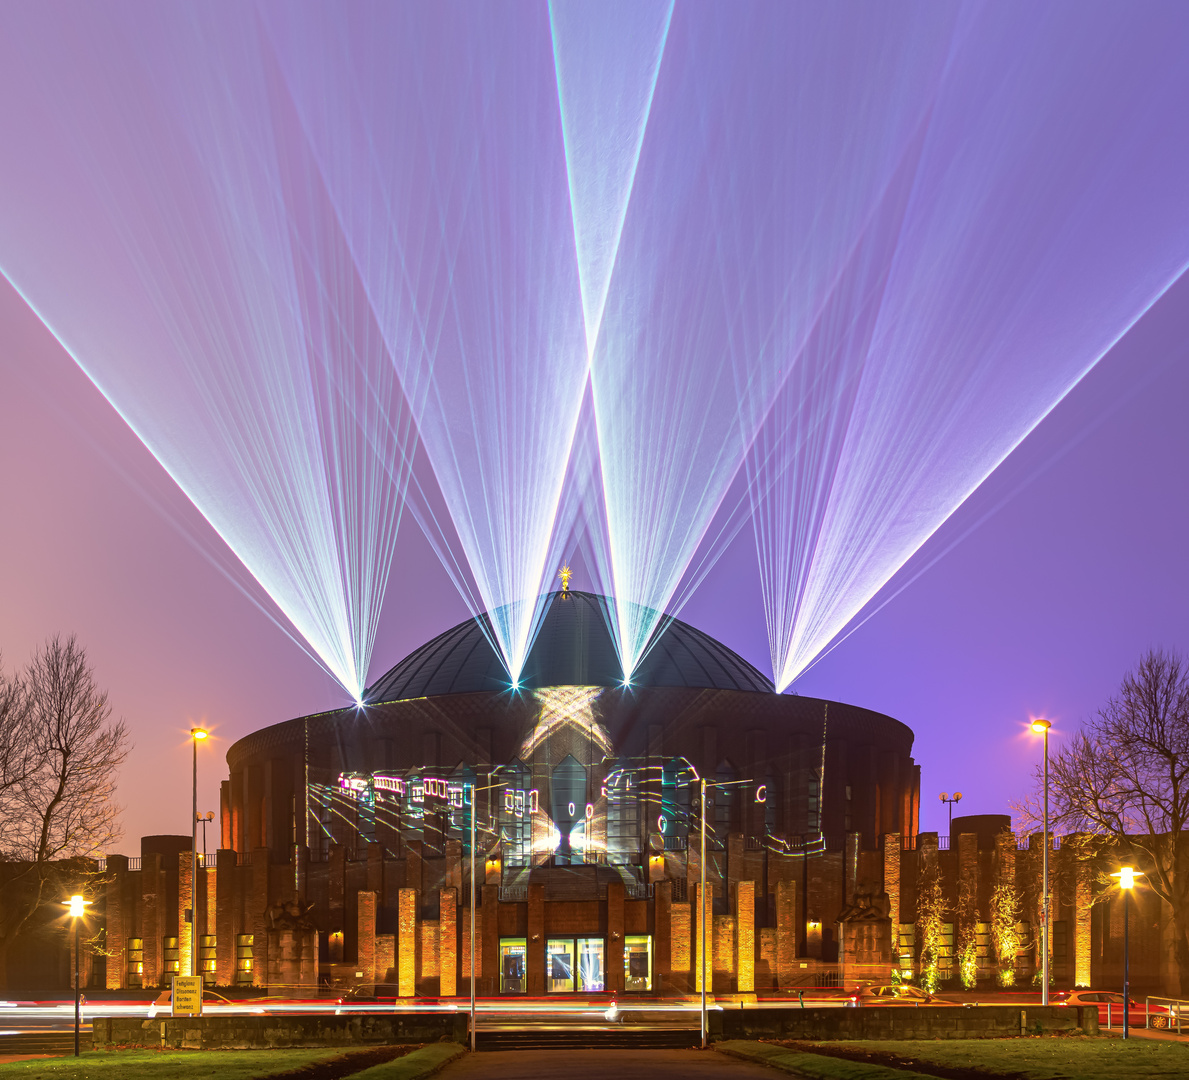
point(764, 161)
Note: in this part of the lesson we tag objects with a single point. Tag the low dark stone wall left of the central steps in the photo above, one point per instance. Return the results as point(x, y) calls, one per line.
point(263, 1033)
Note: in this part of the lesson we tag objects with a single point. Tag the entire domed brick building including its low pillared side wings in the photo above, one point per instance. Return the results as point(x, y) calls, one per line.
point(347, 858)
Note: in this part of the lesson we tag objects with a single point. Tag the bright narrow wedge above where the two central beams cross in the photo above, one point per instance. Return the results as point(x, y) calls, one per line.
point(607, 56)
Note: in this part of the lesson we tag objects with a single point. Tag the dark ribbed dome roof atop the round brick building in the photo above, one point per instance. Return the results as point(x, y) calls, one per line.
point(574, 648)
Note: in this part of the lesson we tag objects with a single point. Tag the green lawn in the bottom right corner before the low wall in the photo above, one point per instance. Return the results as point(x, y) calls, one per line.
point(1047, 1059)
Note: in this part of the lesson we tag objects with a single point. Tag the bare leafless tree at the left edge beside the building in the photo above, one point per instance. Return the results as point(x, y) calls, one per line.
point(60, 755)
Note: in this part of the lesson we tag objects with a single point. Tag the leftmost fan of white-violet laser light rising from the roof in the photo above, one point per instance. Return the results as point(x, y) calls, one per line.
point(165, 222)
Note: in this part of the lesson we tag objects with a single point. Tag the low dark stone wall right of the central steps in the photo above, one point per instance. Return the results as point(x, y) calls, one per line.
point(903, 1022)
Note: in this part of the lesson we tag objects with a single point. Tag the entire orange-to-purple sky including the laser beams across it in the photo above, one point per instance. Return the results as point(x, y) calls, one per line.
point(966, 208)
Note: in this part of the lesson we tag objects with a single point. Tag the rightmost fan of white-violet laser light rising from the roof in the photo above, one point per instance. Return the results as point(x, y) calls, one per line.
point(1047, 216)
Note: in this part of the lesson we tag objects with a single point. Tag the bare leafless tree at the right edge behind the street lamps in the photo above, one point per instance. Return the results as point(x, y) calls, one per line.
point(1125, 776)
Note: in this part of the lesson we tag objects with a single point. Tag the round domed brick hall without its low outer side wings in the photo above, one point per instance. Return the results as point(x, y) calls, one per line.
point(586, 800)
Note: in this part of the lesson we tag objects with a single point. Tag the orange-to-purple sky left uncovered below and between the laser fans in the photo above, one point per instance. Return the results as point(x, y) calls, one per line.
point(1039, 610)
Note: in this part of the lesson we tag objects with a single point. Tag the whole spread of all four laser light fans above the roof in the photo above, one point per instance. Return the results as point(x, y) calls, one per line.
point(573, 272)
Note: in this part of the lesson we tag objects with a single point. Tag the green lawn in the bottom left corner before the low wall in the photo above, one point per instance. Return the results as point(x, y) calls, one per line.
point(167, 1065)
